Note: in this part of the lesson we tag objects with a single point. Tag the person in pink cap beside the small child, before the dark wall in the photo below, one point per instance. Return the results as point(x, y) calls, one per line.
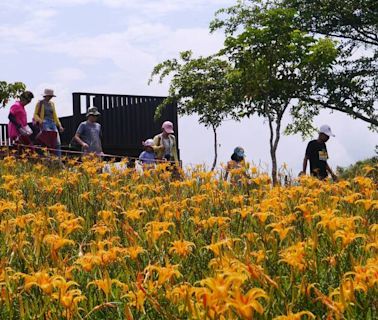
point(165, 143)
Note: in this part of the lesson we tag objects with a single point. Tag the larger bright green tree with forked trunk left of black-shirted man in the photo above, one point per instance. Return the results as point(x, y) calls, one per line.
point(275, 66)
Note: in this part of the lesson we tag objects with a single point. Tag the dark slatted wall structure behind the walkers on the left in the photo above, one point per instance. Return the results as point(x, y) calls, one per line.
point(126, 120)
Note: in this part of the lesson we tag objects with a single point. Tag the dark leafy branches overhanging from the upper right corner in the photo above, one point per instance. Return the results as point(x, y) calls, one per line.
point(353, 87)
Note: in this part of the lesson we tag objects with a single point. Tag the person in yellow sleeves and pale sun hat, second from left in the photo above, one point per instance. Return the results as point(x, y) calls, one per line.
point(45, 116)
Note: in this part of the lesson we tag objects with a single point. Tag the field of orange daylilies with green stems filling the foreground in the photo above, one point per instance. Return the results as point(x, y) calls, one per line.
point(76, 243)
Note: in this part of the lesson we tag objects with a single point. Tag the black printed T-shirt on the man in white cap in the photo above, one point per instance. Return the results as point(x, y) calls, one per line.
point(317, 153)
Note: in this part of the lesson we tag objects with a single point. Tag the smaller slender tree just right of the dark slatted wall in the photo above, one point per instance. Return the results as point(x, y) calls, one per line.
point(199, 86)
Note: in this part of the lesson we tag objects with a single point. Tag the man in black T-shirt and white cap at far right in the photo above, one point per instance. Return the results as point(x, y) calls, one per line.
point(317, 154)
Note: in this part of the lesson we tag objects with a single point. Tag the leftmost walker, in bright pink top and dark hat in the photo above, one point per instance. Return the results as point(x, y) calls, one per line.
point(18, 124)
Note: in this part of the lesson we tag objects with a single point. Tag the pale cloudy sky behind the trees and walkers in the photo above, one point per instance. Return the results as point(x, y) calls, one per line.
point(111, 46)
